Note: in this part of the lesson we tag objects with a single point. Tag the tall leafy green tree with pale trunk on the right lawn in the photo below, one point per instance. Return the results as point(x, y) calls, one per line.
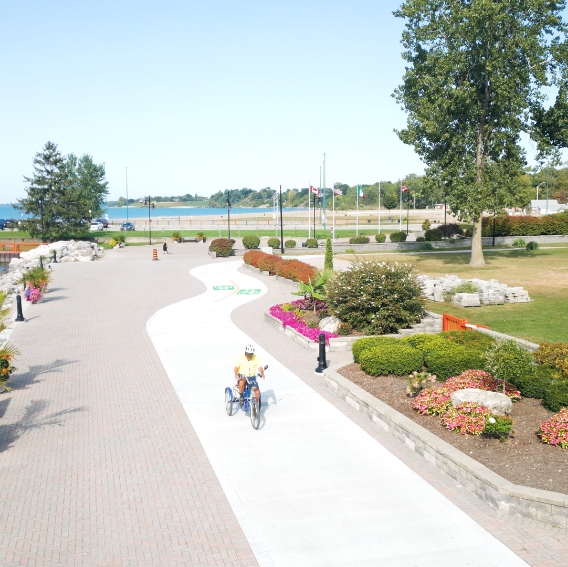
point(474, 82)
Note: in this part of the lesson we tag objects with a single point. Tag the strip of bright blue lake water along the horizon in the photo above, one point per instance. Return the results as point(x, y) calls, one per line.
point(8, 212)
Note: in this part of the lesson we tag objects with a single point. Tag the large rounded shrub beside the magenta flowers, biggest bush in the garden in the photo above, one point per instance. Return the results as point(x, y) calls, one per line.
point(377, 298)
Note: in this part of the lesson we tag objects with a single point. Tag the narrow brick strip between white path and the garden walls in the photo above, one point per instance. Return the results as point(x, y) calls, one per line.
point(539, 544)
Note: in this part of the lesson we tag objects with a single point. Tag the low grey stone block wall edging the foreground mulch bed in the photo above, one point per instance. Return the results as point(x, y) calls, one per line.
point(499, 493)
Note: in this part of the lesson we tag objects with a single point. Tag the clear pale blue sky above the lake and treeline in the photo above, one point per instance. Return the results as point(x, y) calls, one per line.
point(202, 96)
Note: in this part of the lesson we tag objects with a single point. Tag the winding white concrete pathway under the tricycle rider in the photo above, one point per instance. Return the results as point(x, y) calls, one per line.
point(309, 488)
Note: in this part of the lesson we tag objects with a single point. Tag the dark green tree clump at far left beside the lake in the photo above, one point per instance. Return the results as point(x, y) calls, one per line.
point(60, 194)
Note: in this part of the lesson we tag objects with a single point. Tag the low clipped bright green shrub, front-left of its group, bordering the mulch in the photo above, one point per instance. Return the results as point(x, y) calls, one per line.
point(391, 359)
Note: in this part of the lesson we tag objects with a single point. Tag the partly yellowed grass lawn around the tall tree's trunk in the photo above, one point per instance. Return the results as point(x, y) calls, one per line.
point(543, 273)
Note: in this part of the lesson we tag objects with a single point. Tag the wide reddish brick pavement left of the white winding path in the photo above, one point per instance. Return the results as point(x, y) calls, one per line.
point(99, 463)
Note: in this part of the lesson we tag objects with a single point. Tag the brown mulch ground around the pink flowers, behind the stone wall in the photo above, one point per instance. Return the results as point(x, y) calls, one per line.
point(522, 459)
